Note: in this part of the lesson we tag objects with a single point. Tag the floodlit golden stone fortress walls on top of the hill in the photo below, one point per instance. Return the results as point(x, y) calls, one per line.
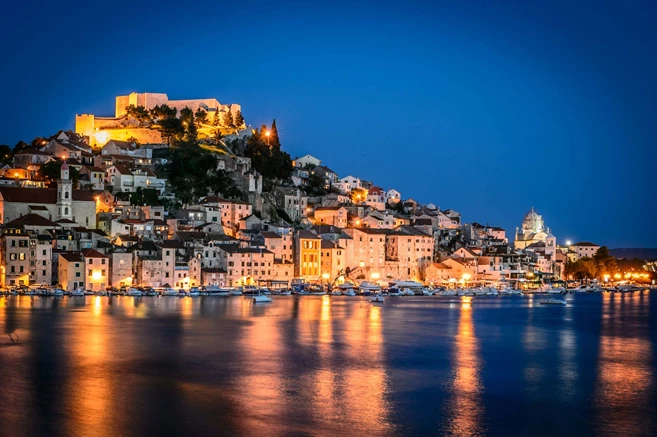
point(99, 130)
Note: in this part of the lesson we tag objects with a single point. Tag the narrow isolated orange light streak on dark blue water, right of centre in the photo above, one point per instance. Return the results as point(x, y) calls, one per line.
point(465, 410)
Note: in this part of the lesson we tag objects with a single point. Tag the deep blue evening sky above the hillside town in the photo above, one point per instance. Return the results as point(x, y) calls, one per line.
point(485, 109)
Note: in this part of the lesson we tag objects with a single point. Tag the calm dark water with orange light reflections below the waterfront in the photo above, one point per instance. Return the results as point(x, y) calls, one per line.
point(312, 365)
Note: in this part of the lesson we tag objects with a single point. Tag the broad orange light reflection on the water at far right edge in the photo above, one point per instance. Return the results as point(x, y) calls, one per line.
point(625, 369)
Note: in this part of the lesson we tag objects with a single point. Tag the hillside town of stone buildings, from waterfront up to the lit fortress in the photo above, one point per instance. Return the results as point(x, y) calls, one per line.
point(88, 234)
